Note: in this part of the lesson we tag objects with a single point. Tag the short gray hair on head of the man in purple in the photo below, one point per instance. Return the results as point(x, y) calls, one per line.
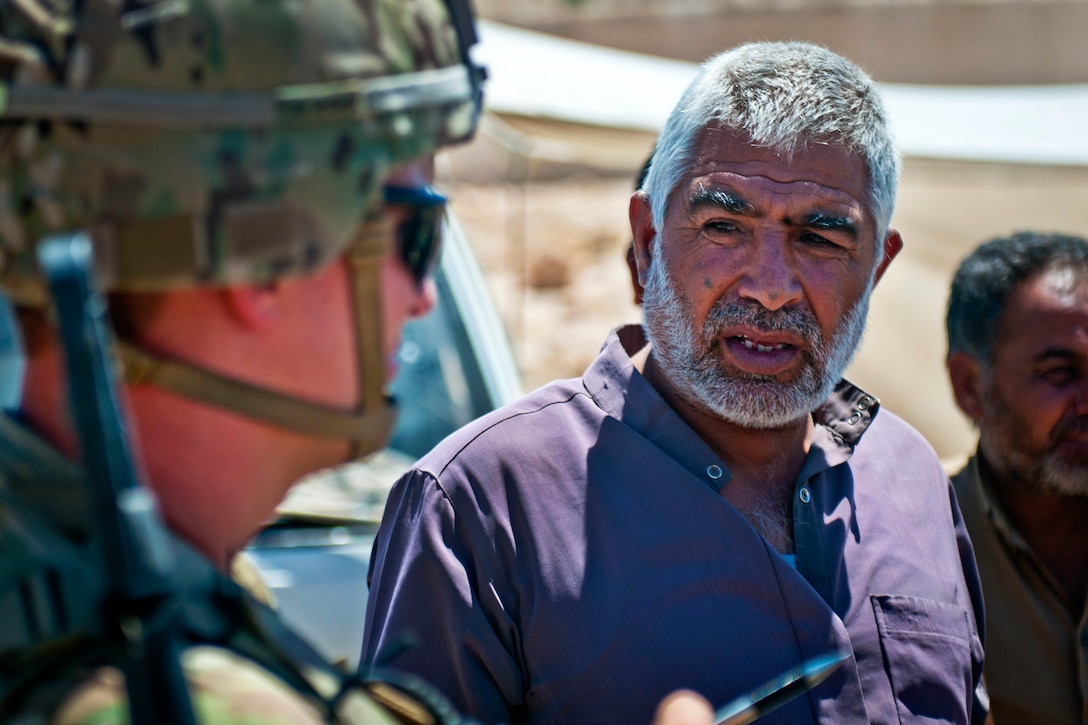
point(784, 96)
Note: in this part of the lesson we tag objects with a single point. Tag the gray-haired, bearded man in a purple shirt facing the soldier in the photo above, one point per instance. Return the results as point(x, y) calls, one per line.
point(711, 508)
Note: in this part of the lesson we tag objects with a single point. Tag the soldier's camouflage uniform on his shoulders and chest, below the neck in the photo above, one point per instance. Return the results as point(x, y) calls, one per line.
point(217, 617)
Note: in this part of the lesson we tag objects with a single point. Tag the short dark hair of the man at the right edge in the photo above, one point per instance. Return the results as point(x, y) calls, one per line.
point(984, 281)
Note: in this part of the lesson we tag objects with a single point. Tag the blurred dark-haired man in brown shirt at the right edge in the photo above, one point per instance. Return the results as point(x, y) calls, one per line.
point(1018, 361)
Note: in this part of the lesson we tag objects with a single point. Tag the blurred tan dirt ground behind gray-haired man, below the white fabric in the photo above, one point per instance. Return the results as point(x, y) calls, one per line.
point(553, 253)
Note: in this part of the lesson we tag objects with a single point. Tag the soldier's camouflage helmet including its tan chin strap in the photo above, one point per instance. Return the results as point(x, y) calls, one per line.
point(222, 142)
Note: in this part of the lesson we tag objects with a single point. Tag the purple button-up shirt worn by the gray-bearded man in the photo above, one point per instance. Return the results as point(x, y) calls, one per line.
point(568, 559)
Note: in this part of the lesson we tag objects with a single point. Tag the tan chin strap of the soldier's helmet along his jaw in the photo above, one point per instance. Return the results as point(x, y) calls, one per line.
point(368, 426)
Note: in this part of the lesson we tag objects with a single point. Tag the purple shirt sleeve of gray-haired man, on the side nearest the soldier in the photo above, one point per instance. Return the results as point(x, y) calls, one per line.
point(434, 610)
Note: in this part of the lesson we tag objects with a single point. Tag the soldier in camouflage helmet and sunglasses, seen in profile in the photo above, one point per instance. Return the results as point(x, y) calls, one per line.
point(226, 161)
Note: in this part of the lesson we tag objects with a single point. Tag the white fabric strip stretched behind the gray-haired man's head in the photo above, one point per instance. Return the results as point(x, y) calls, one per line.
point(546, 77)
